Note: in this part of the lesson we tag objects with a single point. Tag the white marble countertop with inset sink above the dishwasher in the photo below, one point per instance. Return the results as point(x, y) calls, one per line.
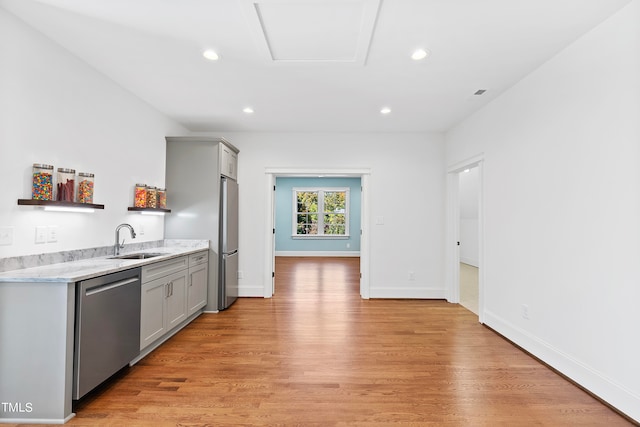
point(74, 271)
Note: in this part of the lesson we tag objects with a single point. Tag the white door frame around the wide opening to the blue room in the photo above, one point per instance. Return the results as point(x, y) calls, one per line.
point(270, 256)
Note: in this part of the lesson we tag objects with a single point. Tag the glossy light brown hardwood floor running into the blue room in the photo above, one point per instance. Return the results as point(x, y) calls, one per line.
point(317, 355)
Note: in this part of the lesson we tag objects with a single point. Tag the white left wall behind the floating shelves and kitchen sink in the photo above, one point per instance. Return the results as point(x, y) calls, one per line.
point(55, 109)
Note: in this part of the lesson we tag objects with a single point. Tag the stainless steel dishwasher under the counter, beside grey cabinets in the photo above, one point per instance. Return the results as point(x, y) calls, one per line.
point(107, 332)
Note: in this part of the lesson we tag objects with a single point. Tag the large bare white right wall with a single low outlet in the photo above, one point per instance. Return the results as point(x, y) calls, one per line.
point(562, 209)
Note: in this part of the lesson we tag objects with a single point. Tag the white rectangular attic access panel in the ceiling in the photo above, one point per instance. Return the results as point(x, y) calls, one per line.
point(313, 30)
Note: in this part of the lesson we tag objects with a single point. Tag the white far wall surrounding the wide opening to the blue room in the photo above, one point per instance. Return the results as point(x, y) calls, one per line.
point(406, 188)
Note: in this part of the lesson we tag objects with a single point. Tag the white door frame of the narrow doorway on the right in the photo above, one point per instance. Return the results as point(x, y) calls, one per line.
point(453, 231)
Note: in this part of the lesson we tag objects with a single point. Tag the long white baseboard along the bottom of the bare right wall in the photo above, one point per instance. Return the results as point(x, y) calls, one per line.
point(618, 396)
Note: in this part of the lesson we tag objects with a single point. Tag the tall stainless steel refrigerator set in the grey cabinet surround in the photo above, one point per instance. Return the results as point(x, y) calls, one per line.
point(228, 249)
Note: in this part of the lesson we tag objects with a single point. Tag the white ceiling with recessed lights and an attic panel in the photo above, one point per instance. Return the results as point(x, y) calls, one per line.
point(315, 65)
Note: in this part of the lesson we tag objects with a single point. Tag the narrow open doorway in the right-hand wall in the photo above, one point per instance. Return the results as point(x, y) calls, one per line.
point(465, 283)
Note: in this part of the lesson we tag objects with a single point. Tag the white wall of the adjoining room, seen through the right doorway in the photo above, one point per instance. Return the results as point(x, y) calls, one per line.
point(468, 193)
